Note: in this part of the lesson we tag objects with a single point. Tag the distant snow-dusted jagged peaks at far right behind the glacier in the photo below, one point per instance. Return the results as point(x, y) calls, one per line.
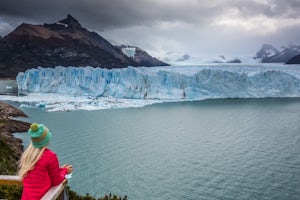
point(269, 54)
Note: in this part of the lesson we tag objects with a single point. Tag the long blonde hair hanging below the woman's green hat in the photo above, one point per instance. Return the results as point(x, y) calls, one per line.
point(29, 158)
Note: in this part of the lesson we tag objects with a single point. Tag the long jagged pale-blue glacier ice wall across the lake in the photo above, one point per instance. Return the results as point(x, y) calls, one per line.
point(166, 83)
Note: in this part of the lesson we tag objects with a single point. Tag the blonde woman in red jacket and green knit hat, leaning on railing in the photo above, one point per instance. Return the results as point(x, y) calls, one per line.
point(39, 166)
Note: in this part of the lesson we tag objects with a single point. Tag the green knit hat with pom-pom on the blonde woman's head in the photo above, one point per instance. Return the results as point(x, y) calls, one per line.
point(40, 135)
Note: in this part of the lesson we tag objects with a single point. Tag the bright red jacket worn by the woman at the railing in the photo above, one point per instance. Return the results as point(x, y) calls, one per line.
point(45, 174)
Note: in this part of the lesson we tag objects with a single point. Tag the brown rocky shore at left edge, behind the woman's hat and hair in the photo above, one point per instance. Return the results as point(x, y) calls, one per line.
point(11, 147)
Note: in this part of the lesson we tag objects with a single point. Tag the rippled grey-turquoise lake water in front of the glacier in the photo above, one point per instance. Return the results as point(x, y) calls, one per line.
point(212, 149)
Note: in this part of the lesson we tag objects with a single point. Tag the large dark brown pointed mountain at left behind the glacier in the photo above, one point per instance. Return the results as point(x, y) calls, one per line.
point(64, 43)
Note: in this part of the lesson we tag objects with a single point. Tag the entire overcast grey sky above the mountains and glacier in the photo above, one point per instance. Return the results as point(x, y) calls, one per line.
point(200, 28)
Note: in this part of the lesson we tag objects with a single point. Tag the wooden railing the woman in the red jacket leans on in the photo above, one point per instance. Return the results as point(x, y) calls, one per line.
point(55, 192)
